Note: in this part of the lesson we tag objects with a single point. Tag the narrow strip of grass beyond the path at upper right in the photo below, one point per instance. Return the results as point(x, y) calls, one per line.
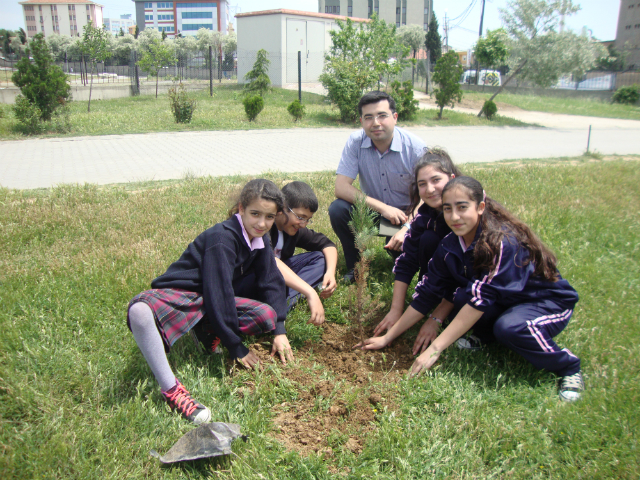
point(568, 106)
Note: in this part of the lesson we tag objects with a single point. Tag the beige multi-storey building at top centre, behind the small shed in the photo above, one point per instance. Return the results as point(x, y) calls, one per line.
point(398, 12)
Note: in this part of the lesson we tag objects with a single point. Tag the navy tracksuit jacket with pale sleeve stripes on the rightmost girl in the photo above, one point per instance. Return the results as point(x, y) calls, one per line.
point(510, 283)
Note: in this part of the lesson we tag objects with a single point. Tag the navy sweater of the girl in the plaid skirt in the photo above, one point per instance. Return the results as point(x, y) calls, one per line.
point(214, 265)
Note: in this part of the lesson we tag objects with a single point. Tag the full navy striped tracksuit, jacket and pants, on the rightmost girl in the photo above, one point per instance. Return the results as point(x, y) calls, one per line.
point(520, 310)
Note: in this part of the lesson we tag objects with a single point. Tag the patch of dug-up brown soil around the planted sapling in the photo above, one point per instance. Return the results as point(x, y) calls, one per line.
point(337, 403)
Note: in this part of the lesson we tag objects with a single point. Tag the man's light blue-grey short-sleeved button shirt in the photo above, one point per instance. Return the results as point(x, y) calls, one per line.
point(384, 176)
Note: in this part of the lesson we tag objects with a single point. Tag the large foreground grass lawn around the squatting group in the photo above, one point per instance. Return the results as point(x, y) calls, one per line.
point(78, 400)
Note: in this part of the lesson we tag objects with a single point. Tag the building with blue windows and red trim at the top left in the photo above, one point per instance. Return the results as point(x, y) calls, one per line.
point(183, 16)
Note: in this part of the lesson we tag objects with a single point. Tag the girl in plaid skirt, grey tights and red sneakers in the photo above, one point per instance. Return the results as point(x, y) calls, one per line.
point(228, 278)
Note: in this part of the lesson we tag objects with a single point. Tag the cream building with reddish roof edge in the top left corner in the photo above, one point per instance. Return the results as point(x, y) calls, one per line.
point(62, 17)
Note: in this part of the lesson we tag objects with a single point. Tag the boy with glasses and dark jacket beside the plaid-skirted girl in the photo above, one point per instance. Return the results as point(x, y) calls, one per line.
point(304, 272)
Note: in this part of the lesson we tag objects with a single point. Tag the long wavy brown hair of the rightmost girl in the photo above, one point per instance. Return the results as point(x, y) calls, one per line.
point(496, 221)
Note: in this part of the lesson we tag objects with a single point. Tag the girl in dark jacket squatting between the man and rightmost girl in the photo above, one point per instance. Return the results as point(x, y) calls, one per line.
point(427, 229)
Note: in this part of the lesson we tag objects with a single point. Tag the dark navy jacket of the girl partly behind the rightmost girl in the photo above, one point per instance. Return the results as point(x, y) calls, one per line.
point(426, 219)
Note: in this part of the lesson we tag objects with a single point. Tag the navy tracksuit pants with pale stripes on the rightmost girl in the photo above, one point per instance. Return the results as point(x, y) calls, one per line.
point(527, 329)
